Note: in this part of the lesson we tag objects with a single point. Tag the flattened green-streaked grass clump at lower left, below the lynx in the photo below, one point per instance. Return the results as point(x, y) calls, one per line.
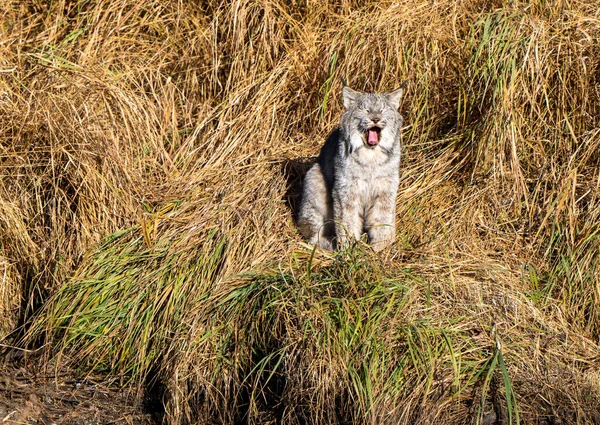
point(119, 315)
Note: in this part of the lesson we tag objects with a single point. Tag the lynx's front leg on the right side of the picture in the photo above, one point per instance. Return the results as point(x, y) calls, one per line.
point(380, 221)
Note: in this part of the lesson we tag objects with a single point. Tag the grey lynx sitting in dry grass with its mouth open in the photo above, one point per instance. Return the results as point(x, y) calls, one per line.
point(352, 187)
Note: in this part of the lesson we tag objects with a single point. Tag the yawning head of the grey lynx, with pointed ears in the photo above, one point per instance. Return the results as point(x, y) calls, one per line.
point(371, 120)
